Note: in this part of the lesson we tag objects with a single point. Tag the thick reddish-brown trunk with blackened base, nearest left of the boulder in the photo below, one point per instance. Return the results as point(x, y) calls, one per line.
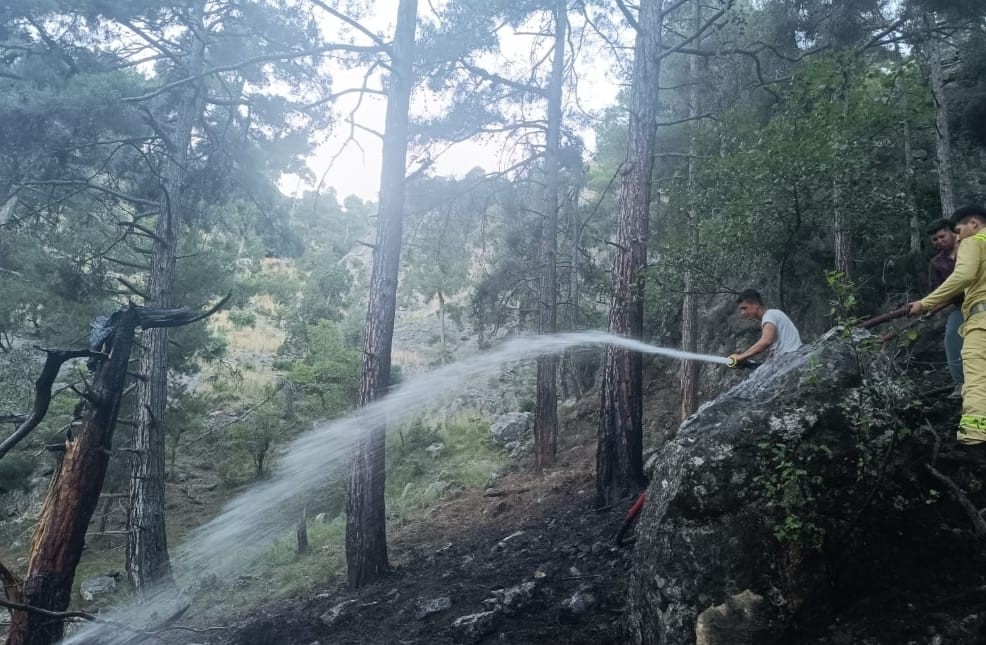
point(619, 454)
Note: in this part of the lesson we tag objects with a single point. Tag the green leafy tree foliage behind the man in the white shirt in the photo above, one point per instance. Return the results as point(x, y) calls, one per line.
point(767, 185)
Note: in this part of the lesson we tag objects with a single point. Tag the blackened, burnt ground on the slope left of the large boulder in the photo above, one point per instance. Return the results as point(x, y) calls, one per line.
point(472, 556)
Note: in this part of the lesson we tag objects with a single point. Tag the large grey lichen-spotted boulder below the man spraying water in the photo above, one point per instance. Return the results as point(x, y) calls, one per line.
point(747, 498)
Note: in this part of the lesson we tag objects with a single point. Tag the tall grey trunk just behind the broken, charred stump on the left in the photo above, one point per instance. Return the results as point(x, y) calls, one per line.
point(148, 563)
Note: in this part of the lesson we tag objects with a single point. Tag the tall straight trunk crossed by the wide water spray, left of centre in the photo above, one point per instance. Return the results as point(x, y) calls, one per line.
point(366, 538)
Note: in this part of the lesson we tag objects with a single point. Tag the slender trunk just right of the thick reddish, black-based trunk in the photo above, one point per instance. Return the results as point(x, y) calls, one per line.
point(689, 305)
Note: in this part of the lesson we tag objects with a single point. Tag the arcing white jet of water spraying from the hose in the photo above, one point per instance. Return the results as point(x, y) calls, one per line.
point(251, 522)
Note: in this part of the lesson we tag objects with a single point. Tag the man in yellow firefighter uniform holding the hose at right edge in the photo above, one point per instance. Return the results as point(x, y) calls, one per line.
point(969, 277)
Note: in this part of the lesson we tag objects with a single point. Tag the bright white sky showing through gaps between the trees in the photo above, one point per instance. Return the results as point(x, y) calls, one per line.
point(354, 168)
